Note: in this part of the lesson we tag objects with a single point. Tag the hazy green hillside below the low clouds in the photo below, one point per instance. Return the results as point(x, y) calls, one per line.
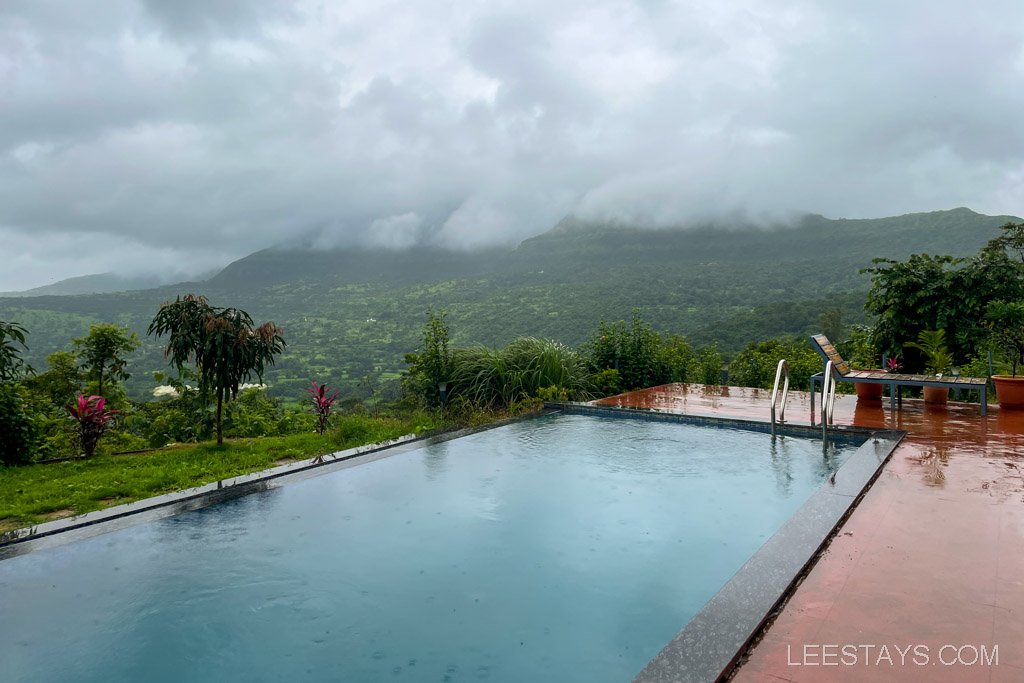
point(349, 313)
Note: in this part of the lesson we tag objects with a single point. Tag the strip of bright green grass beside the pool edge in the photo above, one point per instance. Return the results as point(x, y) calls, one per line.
point(34, 494)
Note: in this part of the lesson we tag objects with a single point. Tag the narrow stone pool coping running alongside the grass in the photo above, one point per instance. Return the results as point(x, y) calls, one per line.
point(68, 530)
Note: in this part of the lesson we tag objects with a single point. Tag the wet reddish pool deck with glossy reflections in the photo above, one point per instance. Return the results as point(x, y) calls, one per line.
point(931, 560)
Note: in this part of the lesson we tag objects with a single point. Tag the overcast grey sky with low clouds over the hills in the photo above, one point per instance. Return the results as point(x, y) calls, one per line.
point(173, 137)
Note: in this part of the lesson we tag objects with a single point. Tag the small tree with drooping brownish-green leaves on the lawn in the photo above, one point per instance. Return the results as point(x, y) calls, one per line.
point(223, 343)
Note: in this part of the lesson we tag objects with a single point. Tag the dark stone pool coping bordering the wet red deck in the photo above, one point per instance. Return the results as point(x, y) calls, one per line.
point(711, 645)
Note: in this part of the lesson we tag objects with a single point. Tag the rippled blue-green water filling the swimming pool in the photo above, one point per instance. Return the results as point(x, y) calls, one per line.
point(566, 548)
